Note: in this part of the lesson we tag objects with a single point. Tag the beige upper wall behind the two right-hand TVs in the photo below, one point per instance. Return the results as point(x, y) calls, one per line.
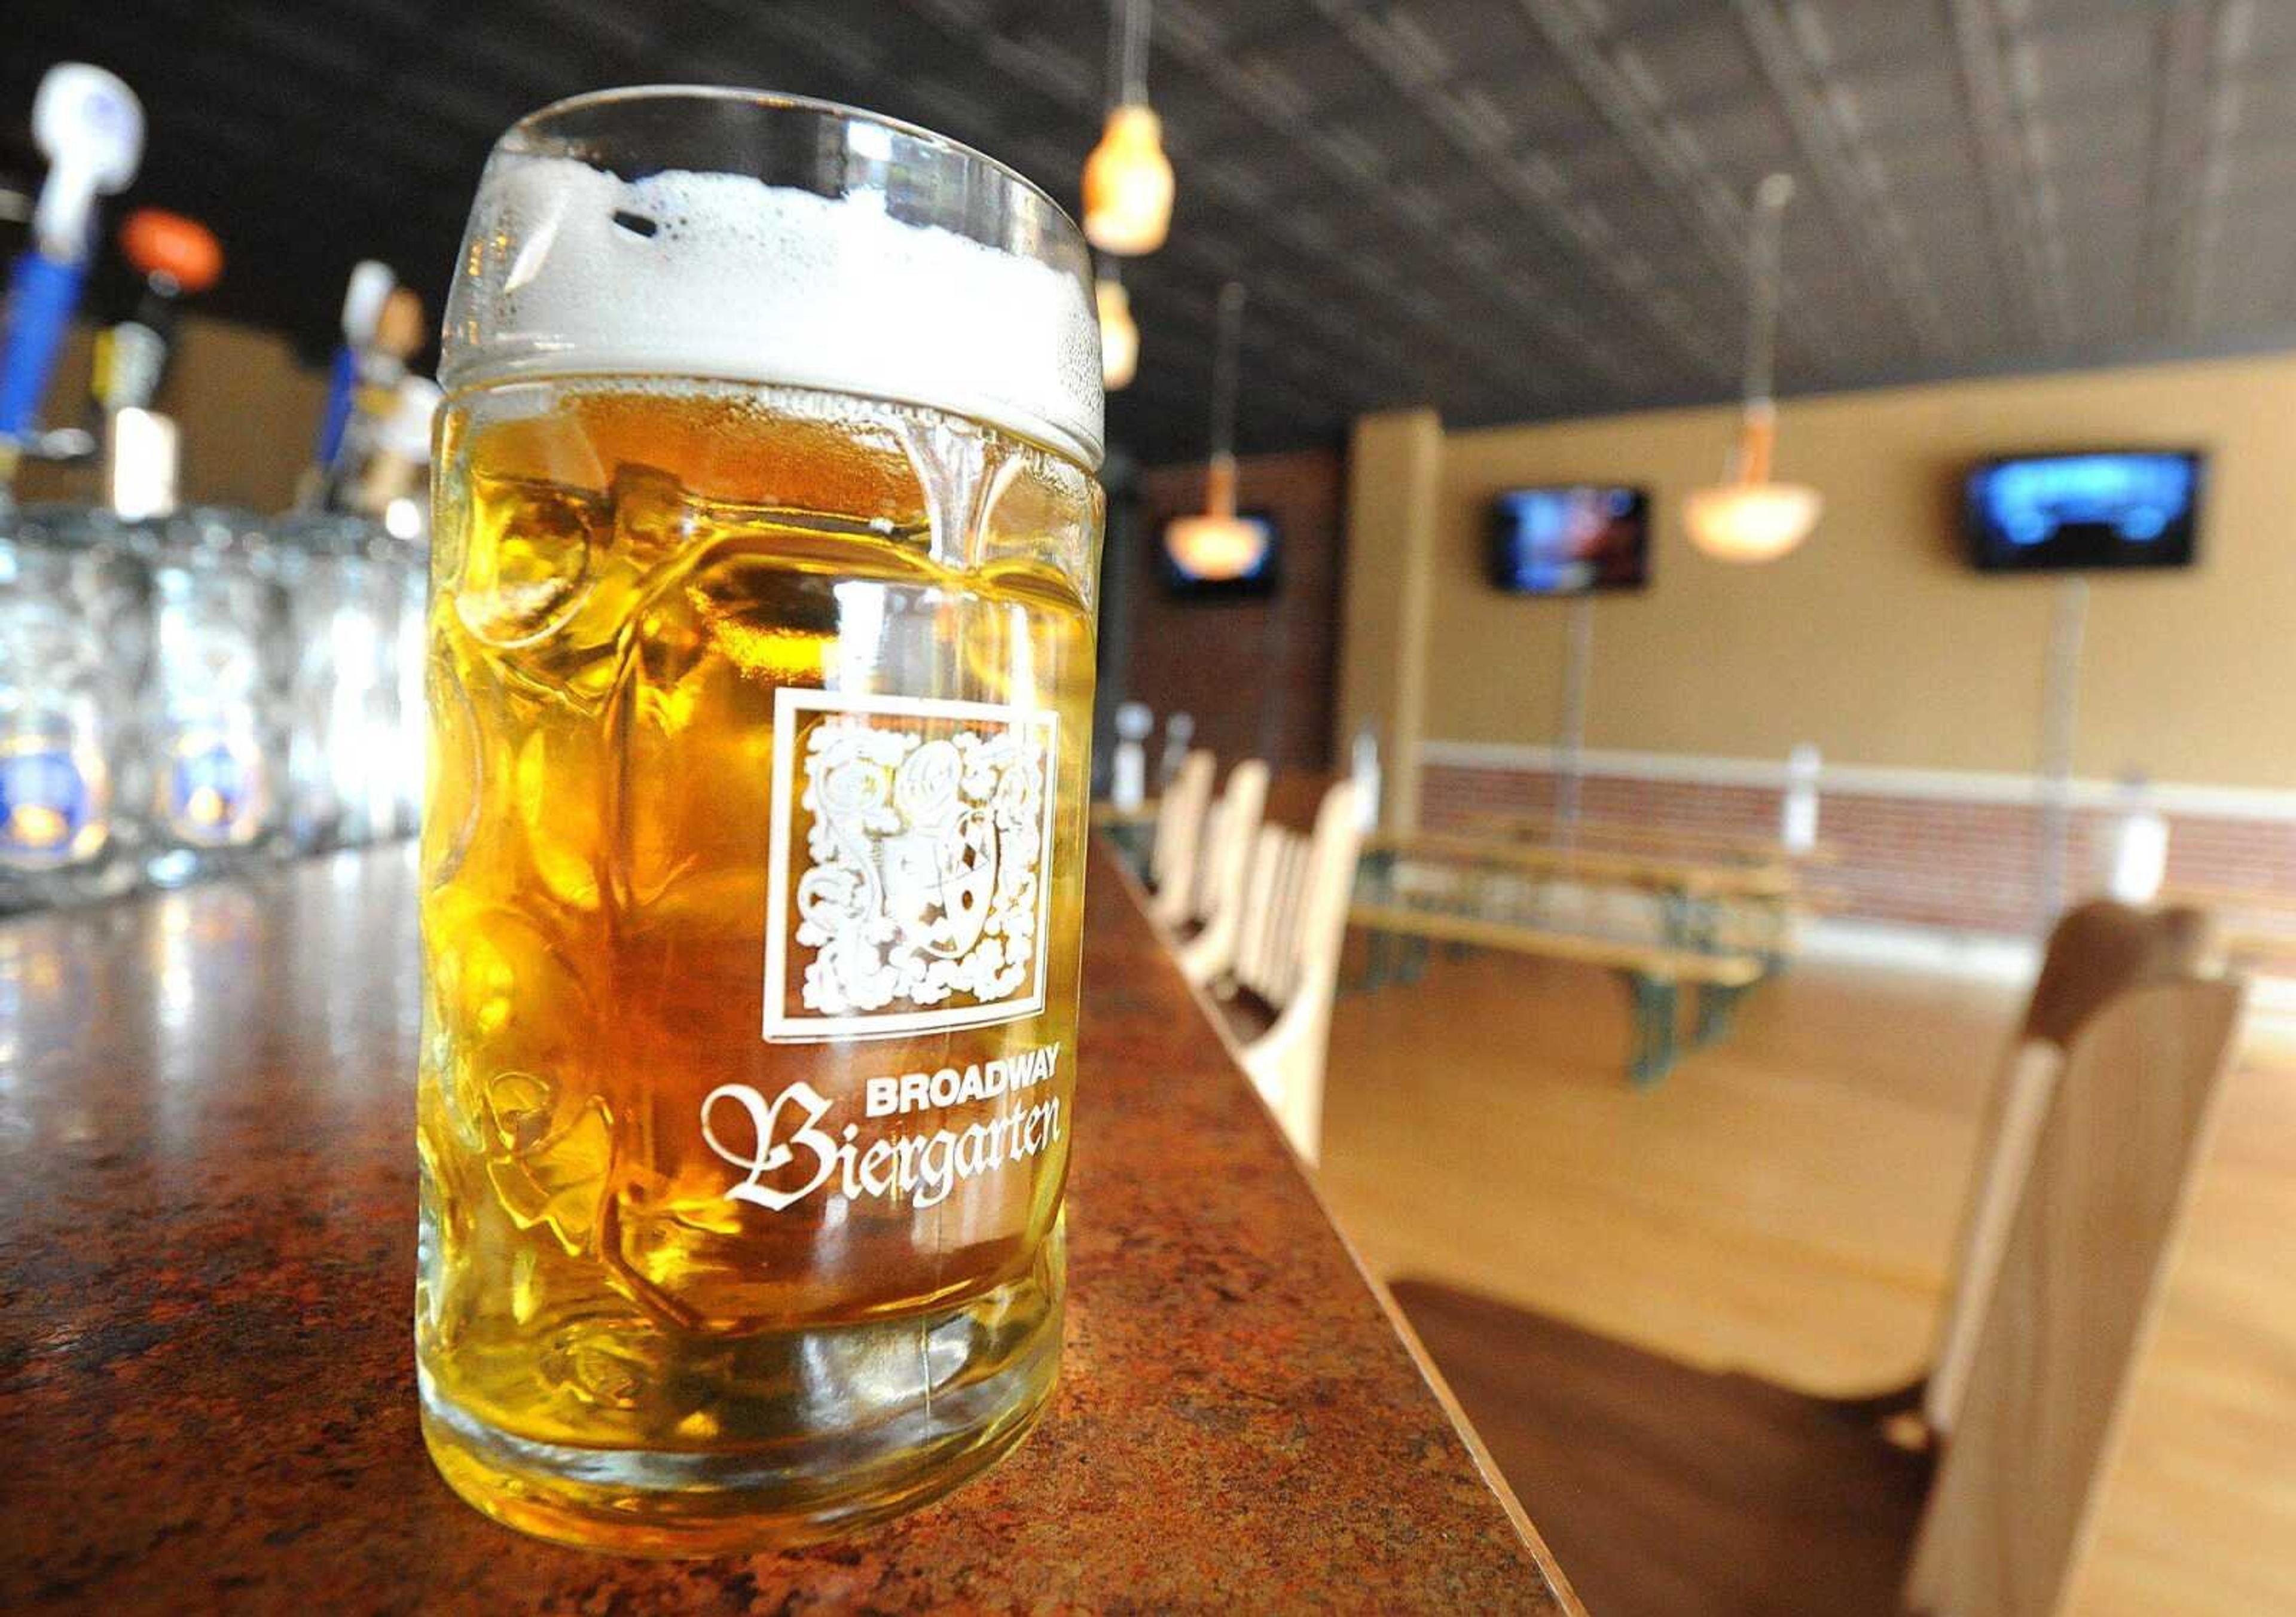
point(1875, 640)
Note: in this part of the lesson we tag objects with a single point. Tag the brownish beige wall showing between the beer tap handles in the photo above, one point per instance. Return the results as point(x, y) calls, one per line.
point(247, 408)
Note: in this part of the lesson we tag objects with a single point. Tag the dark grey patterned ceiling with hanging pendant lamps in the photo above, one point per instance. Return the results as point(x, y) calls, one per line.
point(1505, 208)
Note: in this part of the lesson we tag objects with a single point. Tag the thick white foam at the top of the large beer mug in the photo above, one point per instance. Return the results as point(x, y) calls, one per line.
point(766, 284)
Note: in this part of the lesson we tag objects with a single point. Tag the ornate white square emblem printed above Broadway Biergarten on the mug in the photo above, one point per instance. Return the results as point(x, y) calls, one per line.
point(917, 897)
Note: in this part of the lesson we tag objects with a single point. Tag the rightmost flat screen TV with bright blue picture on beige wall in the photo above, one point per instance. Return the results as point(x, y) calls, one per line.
point(2097, 509)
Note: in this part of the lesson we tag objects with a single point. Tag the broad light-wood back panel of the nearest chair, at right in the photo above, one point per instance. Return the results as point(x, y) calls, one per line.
point(2077, 1297)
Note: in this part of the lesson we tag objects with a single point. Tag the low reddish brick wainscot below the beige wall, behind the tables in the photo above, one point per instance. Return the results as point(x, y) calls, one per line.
point(1916, 860)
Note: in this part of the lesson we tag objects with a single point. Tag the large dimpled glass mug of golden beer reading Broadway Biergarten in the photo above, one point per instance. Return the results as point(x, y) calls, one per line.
point(761, 674)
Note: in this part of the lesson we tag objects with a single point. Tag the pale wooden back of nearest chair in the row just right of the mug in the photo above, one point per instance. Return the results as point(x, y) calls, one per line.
point(1287, 957)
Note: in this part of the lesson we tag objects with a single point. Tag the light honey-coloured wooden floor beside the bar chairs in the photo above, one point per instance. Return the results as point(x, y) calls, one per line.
point(1785, 1205)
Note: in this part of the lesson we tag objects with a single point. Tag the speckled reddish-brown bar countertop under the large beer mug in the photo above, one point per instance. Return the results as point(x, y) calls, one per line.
point(208, 1400)
